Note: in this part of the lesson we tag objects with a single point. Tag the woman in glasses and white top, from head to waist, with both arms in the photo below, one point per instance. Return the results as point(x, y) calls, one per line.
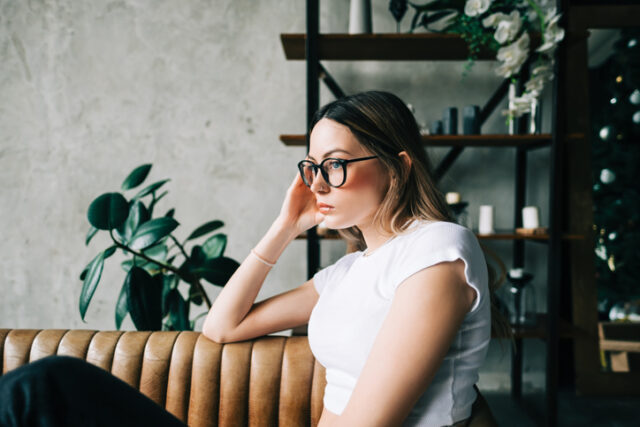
point(402, 325)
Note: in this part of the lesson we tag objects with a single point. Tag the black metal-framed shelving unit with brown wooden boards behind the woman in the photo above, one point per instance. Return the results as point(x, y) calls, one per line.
point(314, 47)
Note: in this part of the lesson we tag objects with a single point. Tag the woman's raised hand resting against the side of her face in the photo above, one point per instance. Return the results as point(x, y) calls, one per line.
point(299, 208)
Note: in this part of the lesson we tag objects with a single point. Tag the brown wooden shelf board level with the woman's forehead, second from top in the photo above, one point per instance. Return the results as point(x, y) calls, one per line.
point(496, 140)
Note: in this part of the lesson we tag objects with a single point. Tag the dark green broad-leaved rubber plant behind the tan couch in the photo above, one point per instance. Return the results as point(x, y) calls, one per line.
point(150, 293)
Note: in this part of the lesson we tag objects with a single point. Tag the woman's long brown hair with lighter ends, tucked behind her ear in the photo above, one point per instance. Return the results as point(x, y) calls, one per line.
point(383, 124)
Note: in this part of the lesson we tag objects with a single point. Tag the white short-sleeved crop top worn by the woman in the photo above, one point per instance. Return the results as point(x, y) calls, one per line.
point(355, 295)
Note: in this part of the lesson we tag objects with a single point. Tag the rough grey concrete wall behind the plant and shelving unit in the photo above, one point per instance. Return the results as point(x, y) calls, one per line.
point(201, 89)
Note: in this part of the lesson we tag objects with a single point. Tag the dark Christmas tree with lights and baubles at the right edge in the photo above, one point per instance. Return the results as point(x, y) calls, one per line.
point(615, 138)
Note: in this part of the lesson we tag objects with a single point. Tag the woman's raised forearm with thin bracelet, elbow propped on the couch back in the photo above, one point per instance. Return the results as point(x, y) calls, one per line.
point(238, 295)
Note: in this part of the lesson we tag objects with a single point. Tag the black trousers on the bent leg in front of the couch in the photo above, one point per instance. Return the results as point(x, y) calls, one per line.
point(67, 391)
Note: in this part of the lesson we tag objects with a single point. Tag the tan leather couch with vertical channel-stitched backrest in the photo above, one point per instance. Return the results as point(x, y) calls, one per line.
point(267, 381)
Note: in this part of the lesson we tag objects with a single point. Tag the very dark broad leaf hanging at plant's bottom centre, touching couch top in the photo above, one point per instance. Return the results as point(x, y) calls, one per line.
point(144, 299)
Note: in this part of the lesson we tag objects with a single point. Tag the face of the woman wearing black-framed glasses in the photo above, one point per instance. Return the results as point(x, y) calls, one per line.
point(357, 200)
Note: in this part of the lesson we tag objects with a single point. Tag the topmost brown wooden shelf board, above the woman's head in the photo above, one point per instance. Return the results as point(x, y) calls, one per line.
point(389, 47)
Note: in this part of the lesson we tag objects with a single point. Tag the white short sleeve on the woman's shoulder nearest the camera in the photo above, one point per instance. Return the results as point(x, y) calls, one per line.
point(438, 243)
